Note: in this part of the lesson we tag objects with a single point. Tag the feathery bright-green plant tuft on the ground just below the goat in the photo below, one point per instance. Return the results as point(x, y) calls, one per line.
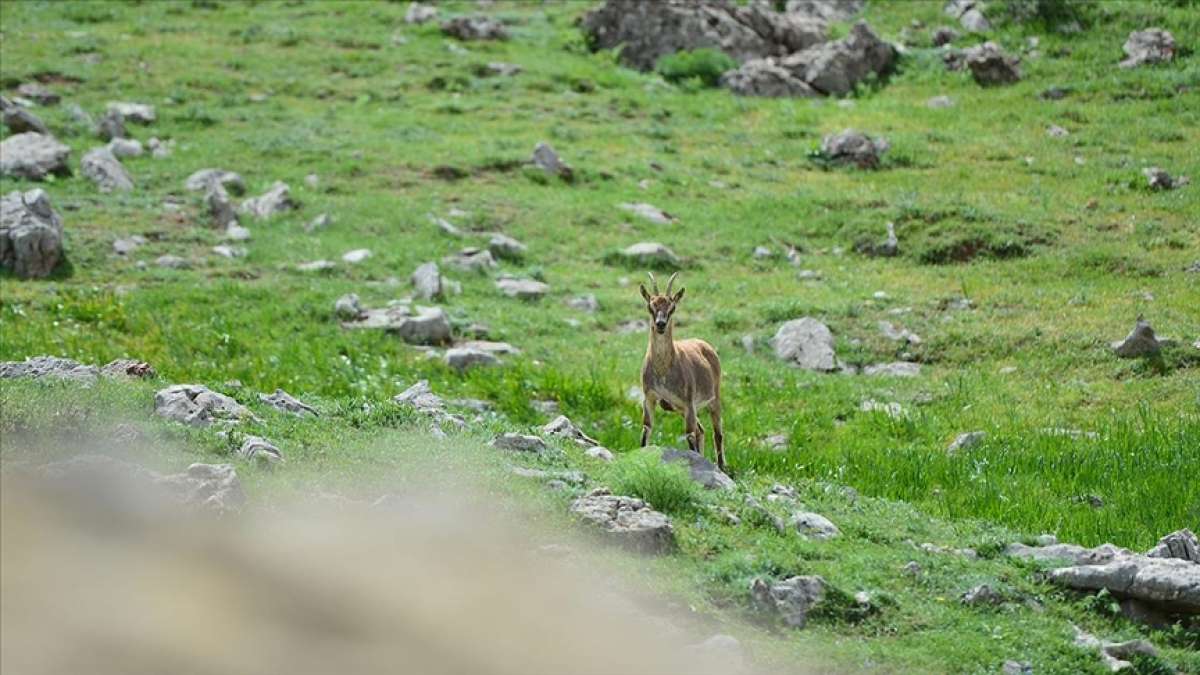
point(667, 487)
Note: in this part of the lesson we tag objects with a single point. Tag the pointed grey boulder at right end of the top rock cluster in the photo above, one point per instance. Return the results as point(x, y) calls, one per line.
point(837, 68)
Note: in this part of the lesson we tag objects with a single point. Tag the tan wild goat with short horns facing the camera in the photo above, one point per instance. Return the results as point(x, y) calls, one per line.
point(681, 377)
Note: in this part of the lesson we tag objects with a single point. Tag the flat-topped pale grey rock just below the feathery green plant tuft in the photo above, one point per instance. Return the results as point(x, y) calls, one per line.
point(627, 522)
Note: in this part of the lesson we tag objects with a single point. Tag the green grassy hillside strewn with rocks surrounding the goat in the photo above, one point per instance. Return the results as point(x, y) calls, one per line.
point(1055, 242)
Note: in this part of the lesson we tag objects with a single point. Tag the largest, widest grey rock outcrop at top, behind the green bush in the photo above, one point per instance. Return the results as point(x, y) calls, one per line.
point(651, 31)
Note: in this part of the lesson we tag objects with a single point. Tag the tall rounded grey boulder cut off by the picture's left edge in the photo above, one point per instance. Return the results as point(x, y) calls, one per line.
point(31, 235)
